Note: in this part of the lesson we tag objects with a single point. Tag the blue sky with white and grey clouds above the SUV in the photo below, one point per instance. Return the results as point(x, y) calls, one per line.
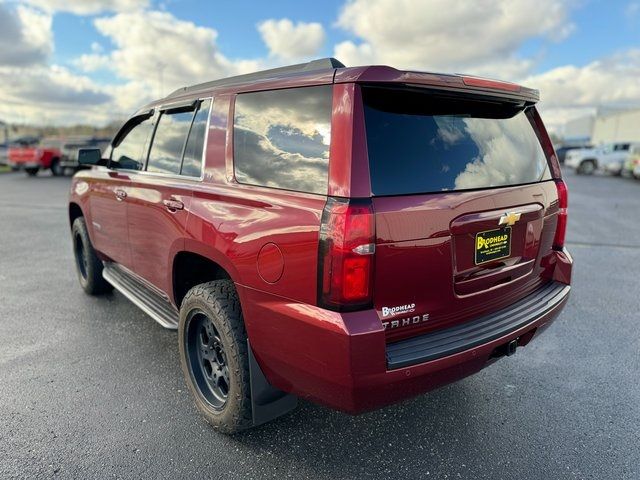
point(69, 61)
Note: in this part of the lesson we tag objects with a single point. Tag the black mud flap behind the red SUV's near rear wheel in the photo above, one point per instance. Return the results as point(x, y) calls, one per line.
point(267, 402)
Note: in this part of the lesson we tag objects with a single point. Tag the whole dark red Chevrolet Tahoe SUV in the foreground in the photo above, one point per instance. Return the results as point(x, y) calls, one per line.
point(350, 236)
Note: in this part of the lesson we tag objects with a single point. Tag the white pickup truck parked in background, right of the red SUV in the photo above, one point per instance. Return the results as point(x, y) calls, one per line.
point(608, 158)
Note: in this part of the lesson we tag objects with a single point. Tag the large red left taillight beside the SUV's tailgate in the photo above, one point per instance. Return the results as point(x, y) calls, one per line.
point(346, 254)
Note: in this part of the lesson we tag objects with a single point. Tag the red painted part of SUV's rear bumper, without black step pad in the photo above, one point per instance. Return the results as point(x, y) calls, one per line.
point(340, 357)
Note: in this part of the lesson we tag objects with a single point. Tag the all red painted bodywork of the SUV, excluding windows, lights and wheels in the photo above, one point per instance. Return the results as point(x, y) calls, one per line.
point(337, 359)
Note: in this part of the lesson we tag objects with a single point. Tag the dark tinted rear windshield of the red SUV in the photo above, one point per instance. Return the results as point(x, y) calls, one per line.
point(421, 143)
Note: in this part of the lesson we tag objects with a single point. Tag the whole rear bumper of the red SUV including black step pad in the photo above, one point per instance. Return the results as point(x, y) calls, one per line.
point(343, 361)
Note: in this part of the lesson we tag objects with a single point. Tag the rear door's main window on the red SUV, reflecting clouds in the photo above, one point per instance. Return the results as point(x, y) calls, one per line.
point(165, 155)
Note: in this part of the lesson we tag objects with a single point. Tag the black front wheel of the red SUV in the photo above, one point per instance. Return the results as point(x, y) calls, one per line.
point(88, 265)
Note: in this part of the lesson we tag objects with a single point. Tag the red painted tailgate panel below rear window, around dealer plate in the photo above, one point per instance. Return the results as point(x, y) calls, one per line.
point(432, 264)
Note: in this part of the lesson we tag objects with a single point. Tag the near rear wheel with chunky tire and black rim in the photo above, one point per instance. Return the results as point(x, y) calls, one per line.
point(214, 356)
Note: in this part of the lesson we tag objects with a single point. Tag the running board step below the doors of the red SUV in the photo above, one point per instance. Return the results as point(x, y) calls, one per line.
point(141, 295)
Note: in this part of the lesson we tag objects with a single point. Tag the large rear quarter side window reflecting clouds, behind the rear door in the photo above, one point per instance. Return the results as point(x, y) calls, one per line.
point(281, 138)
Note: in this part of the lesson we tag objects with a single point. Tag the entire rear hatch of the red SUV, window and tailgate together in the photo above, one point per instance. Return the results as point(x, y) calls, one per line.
point(465, 205)
